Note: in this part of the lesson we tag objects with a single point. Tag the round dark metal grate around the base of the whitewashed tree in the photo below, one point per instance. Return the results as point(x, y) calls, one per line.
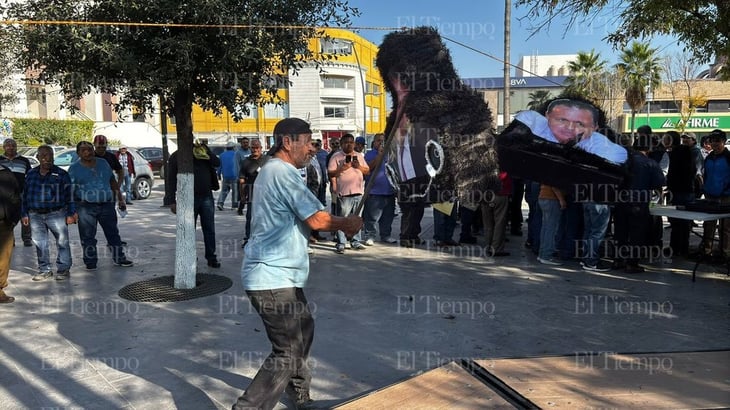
point(162, 289)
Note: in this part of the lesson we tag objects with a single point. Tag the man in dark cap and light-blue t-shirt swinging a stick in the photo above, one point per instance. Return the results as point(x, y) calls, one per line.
point(276, 265)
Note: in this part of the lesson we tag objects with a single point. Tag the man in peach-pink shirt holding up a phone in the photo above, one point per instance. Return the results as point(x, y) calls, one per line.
point(348, 167)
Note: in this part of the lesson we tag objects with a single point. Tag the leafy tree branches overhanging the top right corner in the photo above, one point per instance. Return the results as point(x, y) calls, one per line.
point(702, 26)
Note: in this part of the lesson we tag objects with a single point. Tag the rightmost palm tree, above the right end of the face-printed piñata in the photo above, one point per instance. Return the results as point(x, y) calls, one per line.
point(639, 69)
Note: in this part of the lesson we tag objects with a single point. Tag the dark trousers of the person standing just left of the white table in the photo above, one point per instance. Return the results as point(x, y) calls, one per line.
point(632, 232)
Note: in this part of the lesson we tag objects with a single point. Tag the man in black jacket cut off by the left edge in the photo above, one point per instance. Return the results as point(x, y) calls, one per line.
point(9, 217)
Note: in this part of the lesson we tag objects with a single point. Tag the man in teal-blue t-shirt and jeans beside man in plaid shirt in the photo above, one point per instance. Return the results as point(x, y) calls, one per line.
point(95, 190)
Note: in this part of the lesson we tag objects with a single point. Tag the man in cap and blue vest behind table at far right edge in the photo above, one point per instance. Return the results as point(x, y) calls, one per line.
point(717, 187)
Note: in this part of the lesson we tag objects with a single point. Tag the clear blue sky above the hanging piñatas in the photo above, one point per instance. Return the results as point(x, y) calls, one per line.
point(479, 24)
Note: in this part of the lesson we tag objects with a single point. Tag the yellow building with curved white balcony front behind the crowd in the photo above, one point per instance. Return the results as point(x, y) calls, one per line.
point(346, 96)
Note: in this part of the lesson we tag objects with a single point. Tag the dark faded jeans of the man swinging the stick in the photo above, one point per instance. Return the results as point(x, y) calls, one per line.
point(290, 328)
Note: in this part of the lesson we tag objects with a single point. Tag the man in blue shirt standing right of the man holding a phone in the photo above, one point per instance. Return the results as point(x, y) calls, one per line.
point(379, 210)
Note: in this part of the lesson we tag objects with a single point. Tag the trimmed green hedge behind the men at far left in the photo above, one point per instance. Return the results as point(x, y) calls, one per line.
point(34, 132)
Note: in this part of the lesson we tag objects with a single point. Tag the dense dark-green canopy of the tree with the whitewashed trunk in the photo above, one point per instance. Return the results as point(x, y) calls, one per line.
point(228, 53)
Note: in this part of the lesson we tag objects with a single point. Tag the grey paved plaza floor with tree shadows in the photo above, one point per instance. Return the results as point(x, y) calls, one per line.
point(382, 315)
